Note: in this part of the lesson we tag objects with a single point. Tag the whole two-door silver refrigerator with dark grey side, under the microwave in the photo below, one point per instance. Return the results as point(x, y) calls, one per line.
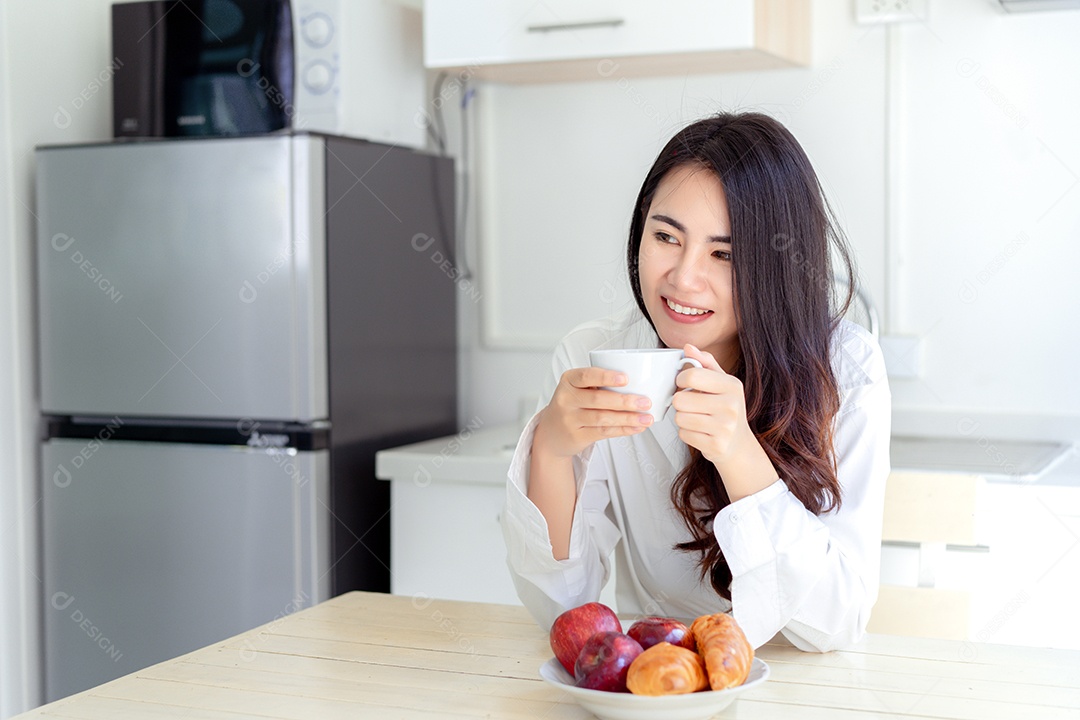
point(229, 330)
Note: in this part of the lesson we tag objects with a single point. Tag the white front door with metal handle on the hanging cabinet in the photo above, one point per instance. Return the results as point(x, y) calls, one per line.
point(468, 33)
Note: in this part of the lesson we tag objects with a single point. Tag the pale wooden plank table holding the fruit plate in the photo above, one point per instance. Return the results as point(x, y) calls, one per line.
point(371, 656)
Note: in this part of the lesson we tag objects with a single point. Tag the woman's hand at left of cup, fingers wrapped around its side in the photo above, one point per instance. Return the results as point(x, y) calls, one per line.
point(582, 413)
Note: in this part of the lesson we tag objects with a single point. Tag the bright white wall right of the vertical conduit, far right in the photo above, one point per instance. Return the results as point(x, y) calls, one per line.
point(992, 210)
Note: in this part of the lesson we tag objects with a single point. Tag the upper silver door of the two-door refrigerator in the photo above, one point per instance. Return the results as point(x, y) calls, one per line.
point(184, 279)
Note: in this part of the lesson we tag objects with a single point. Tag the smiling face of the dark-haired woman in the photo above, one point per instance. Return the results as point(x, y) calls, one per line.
point(685, 261)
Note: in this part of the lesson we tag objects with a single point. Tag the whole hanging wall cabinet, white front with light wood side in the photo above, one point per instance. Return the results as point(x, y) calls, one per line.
point(559, 40)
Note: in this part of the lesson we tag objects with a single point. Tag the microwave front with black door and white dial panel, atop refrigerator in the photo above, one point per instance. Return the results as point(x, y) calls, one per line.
point(220, 67)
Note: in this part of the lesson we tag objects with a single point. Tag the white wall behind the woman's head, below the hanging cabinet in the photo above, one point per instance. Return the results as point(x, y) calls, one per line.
point(562, 166)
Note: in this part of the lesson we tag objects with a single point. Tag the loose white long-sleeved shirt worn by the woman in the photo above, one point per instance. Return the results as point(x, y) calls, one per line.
point(813, 578)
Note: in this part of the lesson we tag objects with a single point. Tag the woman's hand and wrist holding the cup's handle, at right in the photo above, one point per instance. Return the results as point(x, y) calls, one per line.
point(713, 419)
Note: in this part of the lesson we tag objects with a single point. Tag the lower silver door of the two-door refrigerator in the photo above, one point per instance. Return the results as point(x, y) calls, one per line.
point(153, 550)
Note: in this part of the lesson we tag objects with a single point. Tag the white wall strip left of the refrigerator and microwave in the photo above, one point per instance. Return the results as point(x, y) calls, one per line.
point(55, 51)
